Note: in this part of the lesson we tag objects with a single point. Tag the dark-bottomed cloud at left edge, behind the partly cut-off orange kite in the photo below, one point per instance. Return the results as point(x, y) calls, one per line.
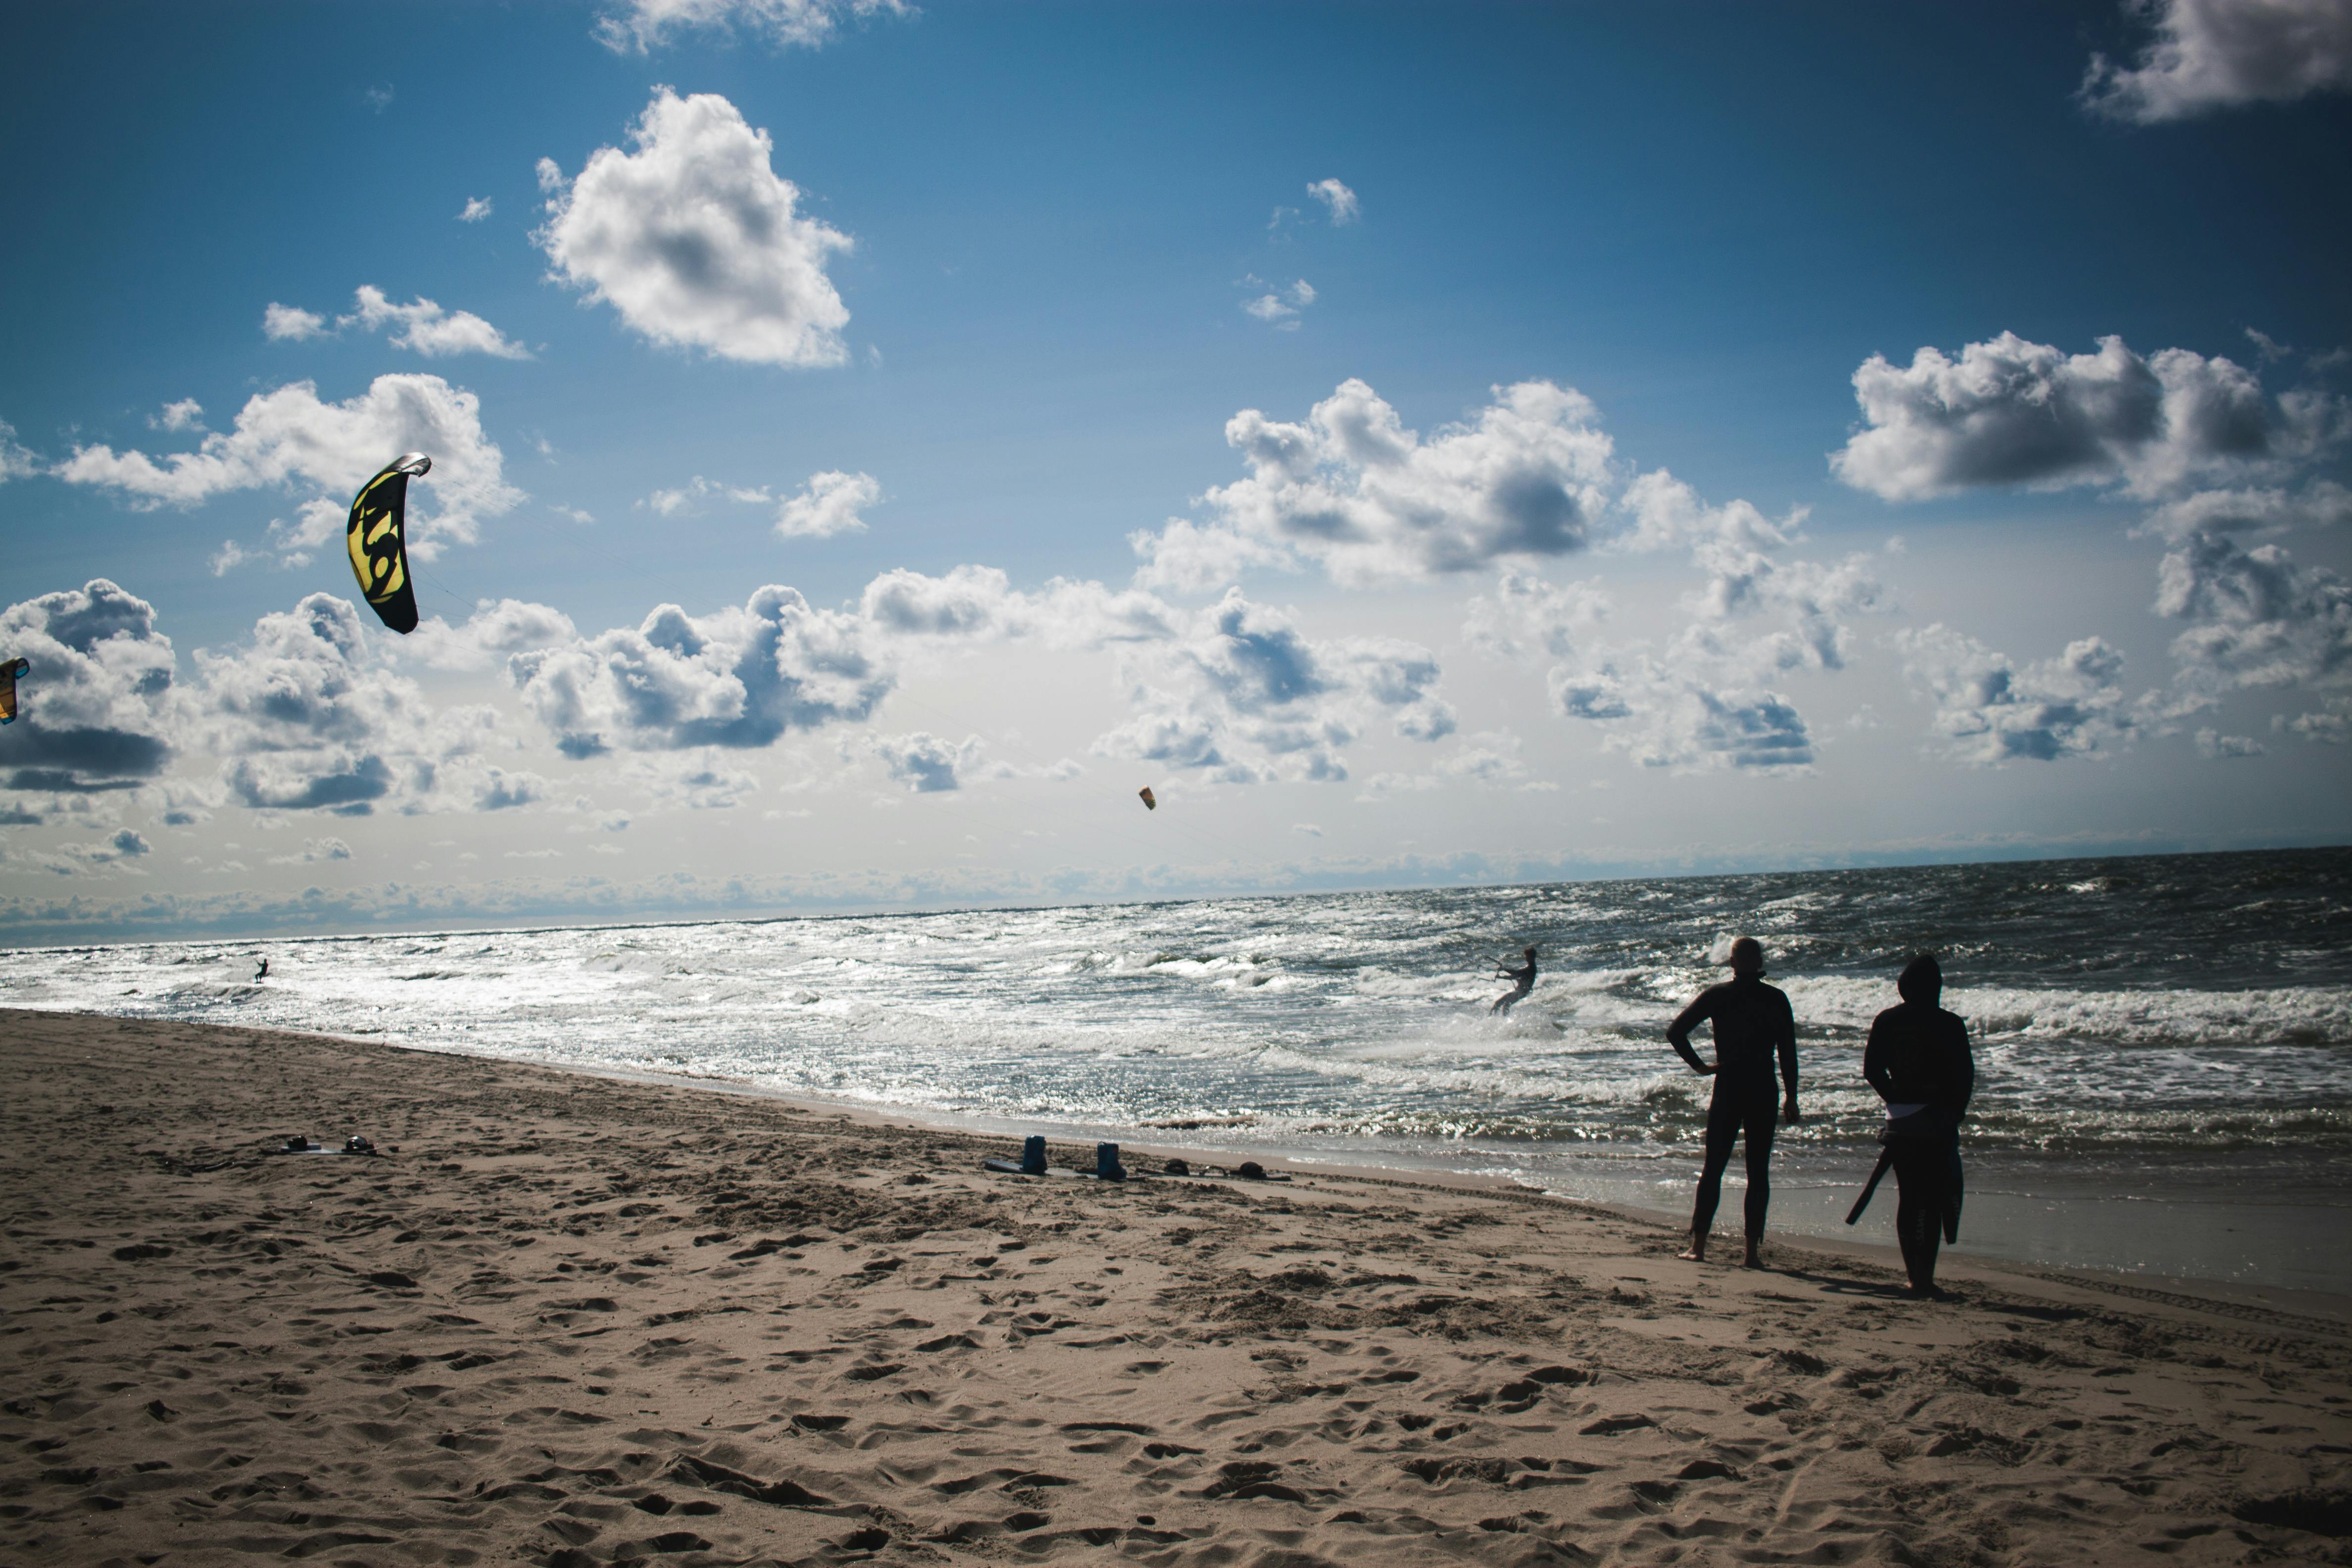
point(98, 706)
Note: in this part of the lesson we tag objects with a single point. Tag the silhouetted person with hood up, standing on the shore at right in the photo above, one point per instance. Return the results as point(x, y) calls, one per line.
point(1920, 1064)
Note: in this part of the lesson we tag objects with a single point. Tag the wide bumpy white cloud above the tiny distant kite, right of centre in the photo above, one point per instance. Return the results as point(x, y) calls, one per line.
point(1358, 495)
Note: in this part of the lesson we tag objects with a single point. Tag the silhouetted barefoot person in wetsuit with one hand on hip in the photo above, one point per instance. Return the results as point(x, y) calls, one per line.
point(1753, 1026)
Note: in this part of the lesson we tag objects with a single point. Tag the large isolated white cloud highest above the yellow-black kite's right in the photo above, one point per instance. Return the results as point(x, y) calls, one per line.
point(697, 243)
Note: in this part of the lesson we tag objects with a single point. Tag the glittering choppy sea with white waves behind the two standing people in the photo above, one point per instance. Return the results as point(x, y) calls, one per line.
point(2165, 1045)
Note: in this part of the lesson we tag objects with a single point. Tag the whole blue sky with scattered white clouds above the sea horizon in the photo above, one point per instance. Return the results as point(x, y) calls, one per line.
point(1424, 443)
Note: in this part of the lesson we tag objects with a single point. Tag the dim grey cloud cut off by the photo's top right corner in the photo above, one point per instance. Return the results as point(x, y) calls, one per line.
point(2221, 55)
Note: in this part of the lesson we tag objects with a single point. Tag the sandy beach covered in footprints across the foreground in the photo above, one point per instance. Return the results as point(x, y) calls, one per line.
point(573, 1320)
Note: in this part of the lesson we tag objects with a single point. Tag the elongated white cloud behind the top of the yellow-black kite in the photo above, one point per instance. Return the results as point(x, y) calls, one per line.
point(290, 438)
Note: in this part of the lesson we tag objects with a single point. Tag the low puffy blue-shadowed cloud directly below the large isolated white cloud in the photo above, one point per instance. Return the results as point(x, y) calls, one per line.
point(737, 678)
